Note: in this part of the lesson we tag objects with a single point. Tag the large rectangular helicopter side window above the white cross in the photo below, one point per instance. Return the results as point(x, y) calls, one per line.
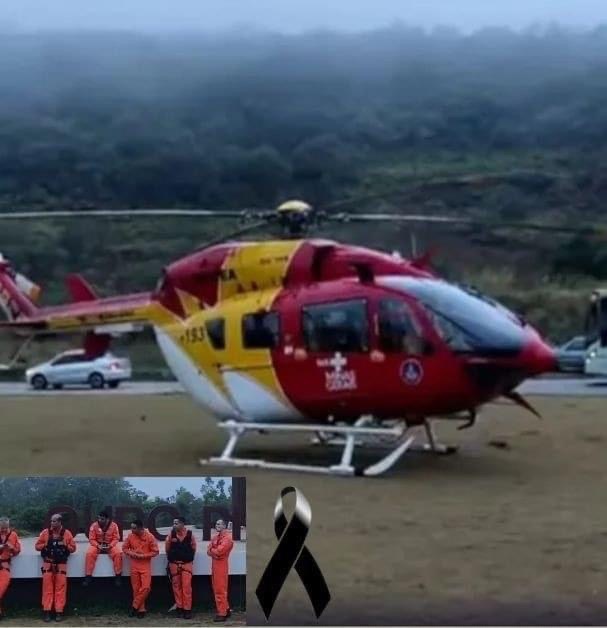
point(340, 326)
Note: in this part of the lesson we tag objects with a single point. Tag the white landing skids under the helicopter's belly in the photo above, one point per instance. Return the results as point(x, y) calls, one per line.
point(398, 438)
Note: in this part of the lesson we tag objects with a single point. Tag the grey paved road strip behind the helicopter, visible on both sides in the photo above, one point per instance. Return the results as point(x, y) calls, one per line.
point(553, 386)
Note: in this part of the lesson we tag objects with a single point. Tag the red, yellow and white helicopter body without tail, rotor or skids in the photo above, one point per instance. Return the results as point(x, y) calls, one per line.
point(269, 332)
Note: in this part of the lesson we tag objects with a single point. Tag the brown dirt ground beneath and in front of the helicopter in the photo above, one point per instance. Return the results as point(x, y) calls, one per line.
point(506, 534)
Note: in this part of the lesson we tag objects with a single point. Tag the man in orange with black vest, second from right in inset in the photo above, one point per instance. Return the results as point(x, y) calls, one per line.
point(180, 547)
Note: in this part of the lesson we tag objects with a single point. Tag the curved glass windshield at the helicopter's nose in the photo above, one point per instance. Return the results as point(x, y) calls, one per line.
point(468, 321)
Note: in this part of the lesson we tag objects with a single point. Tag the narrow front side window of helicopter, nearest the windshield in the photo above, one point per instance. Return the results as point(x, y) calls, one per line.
point(398, 331)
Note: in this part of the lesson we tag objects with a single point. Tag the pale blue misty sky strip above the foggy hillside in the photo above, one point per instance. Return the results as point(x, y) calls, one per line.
point(293, 15)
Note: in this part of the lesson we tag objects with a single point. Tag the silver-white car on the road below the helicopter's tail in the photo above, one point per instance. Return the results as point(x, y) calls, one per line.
point(74, 368)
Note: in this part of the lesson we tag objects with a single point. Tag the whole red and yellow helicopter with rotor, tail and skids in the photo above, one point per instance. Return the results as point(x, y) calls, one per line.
point(353, 345)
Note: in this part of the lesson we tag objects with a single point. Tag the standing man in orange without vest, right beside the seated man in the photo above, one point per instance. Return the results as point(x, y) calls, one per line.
point(140, 546)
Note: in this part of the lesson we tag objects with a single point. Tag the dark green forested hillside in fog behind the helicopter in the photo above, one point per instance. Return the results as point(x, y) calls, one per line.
point(236, 120)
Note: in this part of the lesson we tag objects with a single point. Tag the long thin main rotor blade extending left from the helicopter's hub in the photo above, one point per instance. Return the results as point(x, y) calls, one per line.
point(133, 213)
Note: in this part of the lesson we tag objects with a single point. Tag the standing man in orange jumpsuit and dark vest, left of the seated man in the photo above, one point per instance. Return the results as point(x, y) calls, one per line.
point(55, 544)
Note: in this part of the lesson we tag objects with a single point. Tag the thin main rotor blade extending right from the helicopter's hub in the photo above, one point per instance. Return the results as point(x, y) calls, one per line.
point(486, 225)
